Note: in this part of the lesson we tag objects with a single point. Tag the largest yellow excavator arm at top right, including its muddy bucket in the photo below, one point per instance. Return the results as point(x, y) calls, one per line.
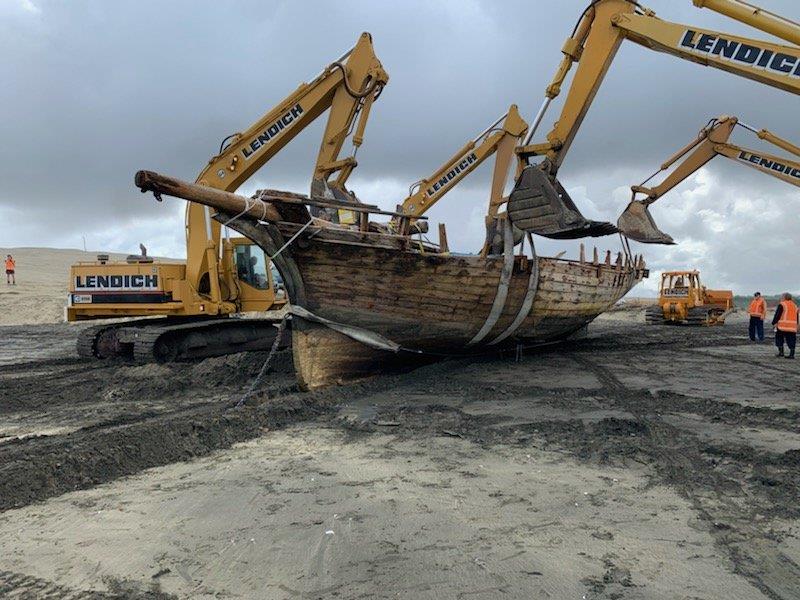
point(539, 204)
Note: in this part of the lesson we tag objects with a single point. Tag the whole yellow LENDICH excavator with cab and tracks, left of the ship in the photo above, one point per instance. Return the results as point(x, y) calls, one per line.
point(224, 277)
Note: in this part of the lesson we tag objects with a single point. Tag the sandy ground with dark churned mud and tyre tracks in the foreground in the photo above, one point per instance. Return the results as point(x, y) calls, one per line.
point(639, 463)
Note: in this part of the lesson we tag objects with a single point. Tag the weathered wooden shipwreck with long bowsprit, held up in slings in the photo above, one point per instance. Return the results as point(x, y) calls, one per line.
point(362, 296)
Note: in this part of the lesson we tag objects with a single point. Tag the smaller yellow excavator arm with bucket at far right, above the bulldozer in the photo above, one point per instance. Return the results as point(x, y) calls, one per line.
point(637, 223)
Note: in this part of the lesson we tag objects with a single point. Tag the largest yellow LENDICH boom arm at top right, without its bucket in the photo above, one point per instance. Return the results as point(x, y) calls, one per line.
point(607, 23)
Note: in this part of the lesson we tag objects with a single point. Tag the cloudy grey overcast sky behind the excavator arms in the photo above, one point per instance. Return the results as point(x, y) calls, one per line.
point(94, 91)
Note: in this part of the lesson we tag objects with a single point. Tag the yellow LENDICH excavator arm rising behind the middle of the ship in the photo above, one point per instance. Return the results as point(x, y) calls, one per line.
point(500, 139)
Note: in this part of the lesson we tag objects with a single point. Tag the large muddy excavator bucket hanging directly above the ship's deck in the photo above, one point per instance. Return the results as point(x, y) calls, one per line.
point(540, 205)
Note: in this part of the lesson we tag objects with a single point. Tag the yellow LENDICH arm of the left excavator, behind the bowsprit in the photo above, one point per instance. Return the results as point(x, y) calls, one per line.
point(347, 87)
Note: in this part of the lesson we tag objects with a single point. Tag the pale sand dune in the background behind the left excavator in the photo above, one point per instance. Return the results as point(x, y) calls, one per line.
point(42, 283)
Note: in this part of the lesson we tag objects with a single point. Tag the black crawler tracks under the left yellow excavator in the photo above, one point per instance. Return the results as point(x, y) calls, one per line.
point(165, 340)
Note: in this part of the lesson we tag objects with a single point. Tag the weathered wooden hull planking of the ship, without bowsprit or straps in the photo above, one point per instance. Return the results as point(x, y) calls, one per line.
point(432, 304)
